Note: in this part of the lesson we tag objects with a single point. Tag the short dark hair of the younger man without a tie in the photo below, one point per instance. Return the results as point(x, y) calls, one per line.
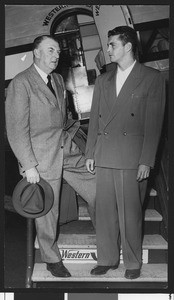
point(126, 34)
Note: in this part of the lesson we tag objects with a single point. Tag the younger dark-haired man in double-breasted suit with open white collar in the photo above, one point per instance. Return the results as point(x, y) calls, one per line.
point(124, 130)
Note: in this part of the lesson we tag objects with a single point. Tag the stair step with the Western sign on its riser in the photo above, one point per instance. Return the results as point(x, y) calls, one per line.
point(82, 248)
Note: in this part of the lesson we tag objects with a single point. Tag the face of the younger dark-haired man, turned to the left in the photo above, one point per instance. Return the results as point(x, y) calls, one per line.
point(116, 49)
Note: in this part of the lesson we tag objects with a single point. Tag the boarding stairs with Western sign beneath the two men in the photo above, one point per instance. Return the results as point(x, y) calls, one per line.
point(77, 243)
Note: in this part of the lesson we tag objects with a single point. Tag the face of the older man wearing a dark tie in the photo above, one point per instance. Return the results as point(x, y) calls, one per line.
point(47, 55)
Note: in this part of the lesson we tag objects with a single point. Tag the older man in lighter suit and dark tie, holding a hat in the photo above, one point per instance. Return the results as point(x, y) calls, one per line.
point(36, 130)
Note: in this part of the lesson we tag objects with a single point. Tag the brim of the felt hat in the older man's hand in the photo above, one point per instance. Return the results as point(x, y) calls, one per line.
point(49, 198)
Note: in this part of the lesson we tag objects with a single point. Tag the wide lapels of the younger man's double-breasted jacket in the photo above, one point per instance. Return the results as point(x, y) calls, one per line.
point(127, 89)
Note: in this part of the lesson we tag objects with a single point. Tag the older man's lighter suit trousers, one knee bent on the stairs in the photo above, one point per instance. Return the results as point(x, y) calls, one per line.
point(75, 173)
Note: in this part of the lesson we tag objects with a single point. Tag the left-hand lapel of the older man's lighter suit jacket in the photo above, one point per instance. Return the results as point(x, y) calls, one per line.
point(41, 85)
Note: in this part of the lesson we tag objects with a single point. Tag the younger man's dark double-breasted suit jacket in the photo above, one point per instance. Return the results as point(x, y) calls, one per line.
point(124, 131)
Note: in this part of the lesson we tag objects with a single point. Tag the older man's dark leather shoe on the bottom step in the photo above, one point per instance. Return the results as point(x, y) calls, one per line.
point(58, 269)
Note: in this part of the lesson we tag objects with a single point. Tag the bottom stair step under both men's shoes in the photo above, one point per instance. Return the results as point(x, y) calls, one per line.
point(81, 272)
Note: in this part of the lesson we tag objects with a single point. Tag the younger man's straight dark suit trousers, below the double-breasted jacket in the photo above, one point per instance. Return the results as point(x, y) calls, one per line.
point(119, 199)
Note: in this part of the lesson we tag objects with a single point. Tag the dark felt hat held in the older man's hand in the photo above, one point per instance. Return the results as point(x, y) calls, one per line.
point(33, 200)
